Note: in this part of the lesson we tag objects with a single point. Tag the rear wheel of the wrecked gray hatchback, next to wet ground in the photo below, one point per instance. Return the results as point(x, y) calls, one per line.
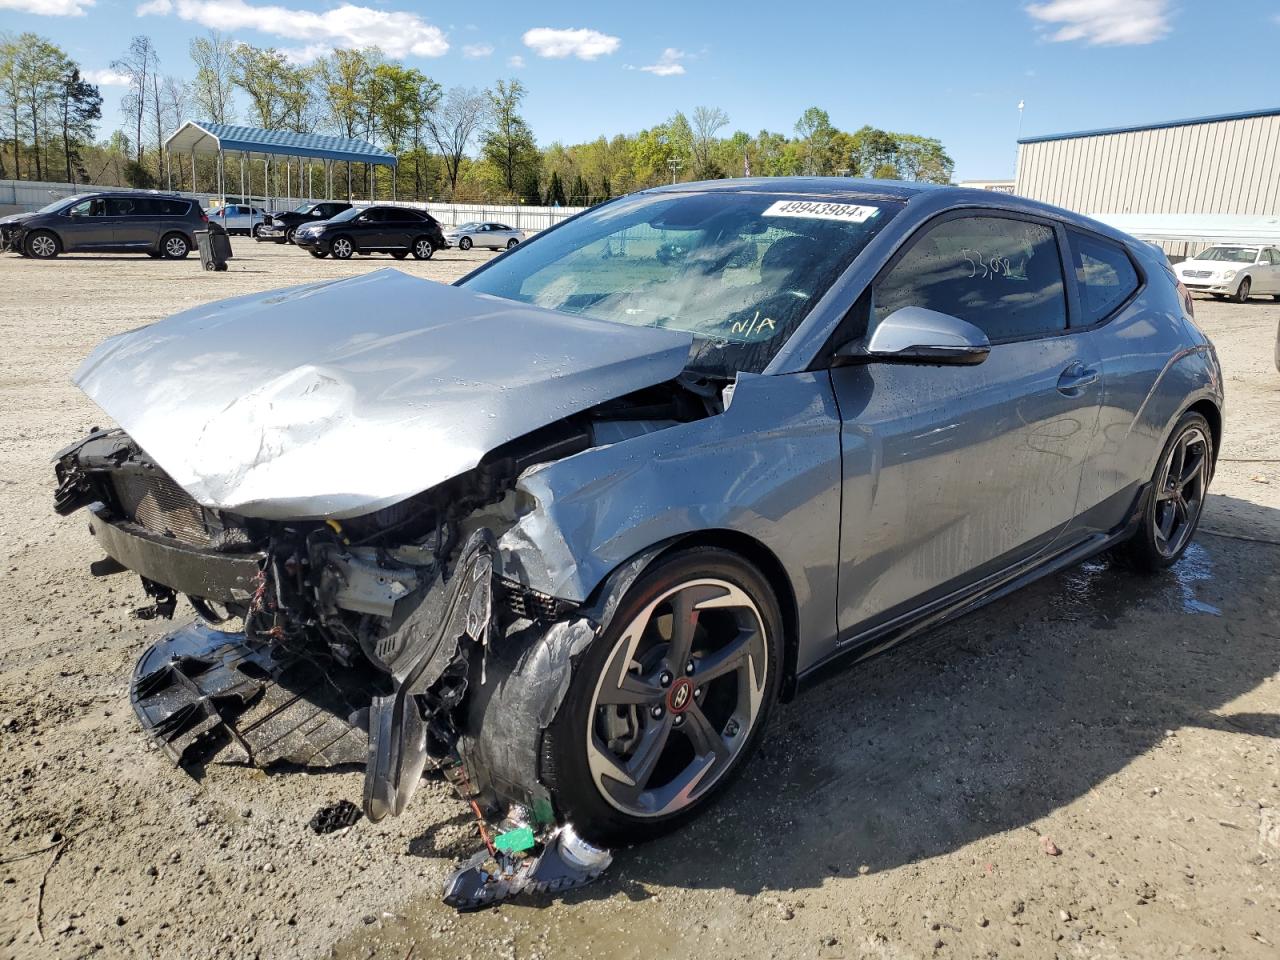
point(1177, 499)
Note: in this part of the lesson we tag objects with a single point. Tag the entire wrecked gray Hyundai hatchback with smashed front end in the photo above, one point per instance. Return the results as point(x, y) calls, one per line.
point(568, 529)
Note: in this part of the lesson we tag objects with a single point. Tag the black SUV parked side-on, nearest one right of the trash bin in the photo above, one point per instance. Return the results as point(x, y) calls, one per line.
point(399, 231)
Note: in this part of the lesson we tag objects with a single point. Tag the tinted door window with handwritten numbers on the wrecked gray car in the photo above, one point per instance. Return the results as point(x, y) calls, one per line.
point(1000, 275)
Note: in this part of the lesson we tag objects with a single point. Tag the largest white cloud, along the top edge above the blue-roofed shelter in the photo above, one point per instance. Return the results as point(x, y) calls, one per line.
point(395, 33)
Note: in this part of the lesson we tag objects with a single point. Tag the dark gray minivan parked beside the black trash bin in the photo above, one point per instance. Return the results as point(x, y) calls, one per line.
point(157, 225)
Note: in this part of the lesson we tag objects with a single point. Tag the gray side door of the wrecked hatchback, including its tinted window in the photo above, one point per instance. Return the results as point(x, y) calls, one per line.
point(953, 474)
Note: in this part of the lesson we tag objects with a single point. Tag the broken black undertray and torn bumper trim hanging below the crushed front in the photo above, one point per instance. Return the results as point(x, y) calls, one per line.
point(200, 689)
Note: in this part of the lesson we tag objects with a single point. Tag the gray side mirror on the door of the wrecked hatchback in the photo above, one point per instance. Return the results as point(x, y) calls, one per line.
point(920, 336)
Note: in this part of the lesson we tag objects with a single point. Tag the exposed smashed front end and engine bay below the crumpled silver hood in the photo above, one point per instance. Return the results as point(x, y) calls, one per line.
point(369, 639)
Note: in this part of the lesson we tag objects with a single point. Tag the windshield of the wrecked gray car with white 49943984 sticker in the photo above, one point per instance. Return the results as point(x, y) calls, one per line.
point(738, 271)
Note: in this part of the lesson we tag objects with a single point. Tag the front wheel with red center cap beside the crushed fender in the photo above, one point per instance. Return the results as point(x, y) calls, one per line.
point(666, 707)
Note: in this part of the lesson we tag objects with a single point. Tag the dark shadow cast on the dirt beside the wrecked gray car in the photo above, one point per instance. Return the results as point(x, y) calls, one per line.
point(984, 726)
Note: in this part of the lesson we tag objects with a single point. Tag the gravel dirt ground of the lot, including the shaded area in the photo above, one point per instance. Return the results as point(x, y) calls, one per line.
point(1087, 769)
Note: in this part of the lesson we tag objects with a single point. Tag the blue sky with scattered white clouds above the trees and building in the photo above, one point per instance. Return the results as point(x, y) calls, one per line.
point(954, 71)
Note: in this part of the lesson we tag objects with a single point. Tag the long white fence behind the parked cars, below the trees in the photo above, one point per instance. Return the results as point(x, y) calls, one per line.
point(19, 196)
